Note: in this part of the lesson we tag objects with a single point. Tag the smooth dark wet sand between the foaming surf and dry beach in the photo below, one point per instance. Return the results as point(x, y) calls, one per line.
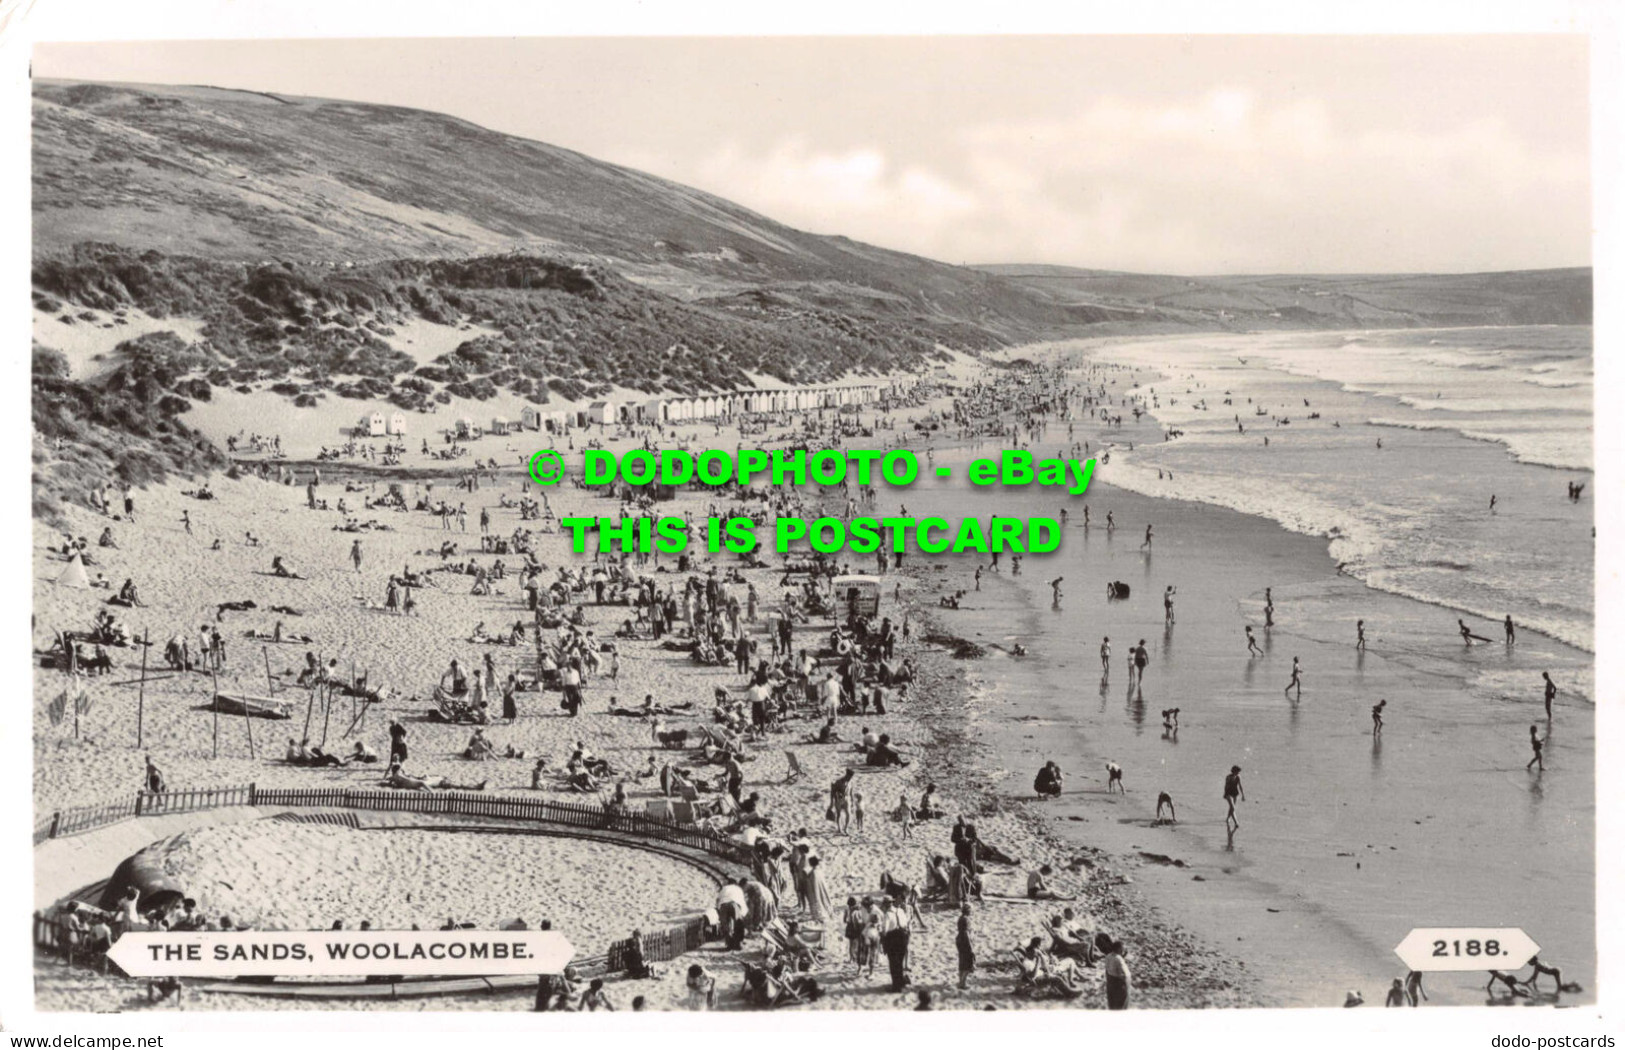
point(1346, 841)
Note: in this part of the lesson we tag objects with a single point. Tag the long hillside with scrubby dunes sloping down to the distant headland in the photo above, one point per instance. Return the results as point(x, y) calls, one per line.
point(202, 240)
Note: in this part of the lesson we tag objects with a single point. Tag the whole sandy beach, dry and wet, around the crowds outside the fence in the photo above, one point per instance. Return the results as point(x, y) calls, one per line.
point(1275, 918)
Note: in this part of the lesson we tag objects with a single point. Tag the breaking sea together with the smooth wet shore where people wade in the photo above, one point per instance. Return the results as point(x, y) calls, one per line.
point(1436, 822)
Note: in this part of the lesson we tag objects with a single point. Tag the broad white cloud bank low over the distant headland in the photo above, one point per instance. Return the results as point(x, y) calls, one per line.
point(1216, 183)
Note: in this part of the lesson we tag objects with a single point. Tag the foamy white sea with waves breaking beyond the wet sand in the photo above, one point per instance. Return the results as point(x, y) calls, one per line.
point(1462, 415)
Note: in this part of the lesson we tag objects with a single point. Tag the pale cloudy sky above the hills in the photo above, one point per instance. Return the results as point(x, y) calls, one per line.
point(1148, 154)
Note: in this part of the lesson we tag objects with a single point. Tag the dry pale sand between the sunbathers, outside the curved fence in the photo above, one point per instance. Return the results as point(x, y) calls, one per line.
point(183, 581)
